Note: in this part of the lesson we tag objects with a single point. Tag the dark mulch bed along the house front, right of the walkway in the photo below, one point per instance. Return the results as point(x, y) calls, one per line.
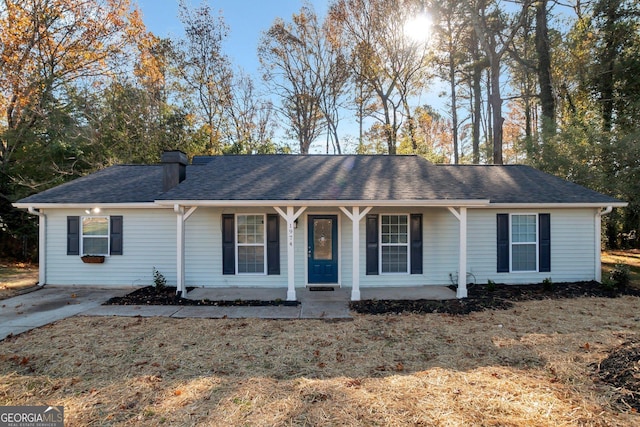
point(483, 297)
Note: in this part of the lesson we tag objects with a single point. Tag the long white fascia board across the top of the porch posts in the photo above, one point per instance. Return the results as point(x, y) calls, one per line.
point(332, 203)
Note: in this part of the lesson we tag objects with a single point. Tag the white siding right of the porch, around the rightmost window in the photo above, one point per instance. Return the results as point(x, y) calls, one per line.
point(573, 252)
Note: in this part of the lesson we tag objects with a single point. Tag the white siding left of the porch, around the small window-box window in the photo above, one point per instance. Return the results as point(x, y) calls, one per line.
point(149, 241)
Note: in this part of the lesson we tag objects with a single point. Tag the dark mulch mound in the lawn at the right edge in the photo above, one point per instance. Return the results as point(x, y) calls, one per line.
point(621, 369)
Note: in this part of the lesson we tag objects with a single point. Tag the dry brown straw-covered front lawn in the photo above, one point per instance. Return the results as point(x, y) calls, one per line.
point(531, 365)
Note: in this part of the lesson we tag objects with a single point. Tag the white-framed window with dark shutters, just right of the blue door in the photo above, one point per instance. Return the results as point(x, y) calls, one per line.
point(394, 243)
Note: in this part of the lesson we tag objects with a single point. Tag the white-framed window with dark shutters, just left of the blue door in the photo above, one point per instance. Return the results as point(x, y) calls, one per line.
point(250, 246)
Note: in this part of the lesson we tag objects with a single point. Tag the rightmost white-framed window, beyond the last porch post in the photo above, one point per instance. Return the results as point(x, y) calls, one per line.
point(524, 242)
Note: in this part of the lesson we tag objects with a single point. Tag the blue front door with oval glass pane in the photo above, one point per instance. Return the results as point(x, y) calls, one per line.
point(323, 249)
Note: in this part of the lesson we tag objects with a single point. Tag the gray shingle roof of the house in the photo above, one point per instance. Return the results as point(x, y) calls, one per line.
point(319, 177)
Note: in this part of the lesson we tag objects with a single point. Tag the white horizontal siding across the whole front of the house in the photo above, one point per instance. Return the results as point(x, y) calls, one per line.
point(150, 241)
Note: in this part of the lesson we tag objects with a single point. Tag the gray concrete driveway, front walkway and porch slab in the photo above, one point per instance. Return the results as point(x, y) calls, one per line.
point(51, 303)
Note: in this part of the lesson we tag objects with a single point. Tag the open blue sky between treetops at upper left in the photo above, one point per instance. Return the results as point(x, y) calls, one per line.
point(247, 19)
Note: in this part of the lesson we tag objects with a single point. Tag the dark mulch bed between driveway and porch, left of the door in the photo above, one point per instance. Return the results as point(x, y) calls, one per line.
point(151, 296)
